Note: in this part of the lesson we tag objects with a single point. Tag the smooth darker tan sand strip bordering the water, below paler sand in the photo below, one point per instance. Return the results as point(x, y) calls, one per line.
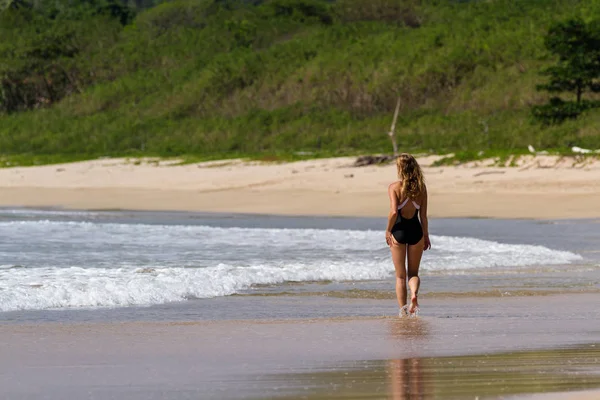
point(306, 204)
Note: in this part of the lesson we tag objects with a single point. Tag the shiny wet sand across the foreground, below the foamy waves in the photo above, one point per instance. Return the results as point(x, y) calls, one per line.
point(457, 348)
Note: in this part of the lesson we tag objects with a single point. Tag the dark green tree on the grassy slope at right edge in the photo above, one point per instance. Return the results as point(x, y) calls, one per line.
point(577, 71)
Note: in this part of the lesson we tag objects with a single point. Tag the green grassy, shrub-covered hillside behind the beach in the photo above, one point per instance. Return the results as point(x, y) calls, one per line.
point(275, 77)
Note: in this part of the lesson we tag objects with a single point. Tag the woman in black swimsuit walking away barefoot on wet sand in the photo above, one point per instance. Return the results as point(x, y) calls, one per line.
point(405, 234)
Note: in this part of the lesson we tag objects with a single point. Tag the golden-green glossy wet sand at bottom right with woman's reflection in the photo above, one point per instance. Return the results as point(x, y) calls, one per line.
point(507, 375)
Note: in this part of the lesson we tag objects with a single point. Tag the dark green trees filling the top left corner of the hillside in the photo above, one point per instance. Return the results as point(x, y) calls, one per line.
point(44, 49)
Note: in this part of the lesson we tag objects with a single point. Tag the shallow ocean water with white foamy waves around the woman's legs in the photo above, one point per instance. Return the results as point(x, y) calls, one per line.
point(68, 260)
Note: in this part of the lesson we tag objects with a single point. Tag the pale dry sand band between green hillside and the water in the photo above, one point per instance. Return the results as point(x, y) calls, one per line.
point(544, 187)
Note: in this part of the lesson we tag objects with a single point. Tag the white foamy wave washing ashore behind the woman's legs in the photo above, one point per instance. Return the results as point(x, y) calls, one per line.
point(53, 264)
